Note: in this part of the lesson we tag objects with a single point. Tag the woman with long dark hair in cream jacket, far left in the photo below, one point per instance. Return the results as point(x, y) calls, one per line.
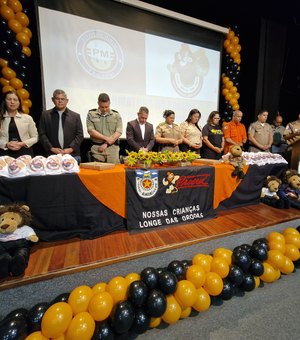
point(18, 132)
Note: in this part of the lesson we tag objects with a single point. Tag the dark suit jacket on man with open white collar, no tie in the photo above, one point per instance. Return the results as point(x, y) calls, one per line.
point(134, 136)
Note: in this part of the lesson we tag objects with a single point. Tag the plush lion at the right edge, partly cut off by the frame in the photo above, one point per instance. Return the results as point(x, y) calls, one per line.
point(291, 187)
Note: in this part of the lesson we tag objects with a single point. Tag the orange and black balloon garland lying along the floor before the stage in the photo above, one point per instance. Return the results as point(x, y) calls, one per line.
point(140, 301)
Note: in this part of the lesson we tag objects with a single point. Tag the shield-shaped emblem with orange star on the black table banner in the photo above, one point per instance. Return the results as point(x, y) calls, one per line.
point(146, 183)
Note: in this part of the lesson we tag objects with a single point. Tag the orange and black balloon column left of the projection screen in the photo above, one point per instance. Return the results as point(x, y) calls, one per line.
point(15, 51)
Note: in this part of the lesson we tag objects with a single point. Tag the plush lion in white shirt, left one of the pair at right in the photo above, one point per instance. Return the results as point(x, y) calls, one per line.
point(269, 193)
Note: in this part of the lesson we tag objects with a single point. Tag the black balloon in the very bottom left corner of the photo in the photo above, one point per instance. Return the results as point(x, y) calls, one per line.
point(14, 329)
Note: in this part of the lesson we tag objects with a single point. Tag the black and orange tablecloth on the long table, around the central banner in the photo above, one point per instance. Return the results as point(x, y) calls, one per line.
point(94, 203)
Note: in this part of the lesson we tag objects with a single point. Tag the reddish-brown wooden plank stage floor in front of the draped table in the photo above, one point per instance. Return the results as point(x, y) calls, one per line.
point(48, 260)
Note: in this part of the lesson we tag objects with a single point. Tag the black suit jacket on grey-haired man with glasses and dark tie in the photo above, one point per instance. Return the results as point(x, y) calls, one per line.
point(72, 126)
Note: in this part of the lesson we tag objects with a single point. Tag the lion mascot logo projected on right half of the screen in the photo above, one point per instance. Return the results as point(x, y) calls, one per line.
point(188, 70)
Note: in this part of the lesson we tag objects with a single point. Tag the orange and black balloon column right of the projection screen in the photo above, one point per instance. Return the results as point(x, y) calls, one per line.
point(230, 78)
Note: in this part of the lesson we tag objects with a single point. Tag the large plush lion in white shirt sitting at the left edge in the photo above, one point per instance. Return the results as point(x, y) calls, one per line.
point(15, 239)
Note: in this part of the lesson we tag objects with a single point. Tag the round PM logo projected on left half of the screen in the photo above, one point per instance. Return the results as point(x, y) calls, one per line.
point(99, 54)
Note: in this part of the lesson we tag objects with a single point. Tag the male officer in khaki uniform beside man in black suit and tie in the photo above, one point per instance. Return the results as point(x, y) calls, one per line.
point(104, 125)
